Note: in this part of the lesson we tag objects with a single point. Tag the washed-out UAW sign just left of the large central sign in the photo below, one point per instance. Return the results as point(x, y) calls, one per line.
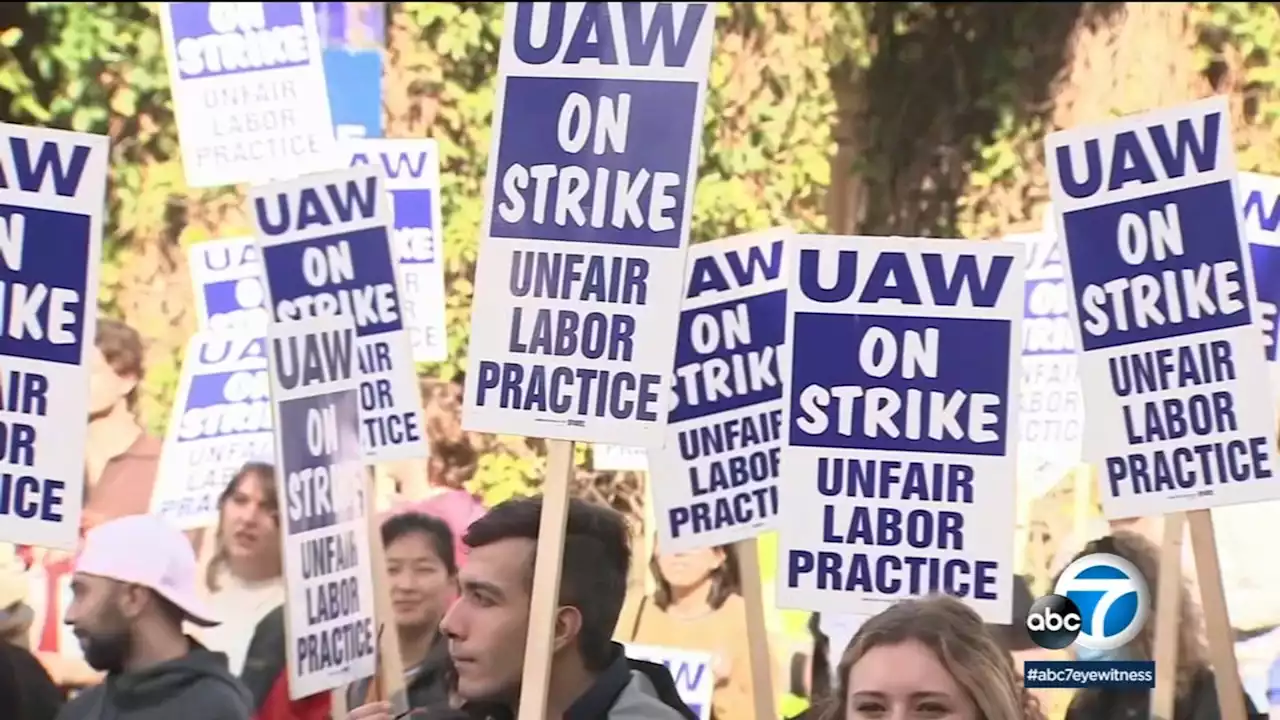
point(413, 174)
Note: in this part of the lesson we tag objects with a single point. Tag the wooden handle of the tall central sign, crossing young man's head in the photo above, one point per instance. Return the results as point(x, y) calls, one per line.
point(547, 575)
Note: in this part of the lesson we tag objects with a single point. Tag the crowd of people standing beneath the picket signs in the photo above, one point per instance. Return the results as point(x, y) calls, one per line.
point(194, 627)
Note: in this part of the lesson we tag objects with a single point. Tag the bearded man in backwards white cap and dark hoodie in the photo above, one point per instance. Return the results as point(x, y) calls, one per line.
point(134, 587)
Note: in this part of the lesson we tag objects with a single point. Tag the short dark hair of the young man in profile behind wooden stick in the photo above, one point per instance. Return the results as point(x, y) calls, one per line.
point(597, 562)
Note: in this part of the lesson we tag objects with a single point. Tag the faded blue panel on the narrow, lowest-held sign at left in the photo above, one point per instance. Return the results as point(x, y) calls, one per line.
point(310, 498)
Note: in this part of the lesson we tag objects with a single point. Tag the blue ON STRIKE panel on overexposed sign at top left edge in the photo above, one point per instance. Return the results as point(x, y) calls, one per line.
point(227, 39)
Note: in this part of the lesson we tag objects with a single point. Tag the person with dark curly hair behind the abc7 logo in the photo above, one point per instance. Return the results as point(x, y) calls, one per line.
point(1196, 696)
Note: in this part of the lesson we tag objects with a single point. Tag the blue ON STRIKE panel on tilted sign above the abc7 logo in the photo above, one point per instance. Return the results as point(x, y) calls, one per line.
point(1169, 294)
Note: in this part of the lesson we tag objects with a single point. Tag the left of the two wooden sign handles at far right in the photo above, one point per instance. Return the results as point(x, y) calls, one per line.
point(1168, 609)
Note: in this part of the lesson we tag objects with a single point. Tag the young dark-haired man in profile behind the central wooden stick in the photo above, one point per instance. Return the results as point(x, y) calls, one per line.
point(591, 680)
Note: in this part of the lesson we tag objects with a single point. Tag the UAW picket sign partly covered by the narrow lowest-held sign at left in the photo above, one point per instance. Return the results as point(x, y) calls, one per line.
point(326, 248)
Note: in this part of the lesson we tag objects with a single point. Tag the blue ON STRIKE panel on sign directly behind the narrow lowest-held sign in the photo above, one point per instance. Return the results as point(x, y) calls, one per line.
point(368, 295)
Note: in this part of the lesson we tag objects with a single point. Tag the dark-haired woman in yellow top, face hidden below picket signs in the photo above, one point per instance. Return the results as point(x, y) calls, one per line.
point(698, 605)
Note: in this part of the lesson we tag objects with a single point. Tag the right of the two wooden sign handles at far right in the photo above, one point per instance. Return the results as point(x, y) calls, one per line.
point(1222, 651)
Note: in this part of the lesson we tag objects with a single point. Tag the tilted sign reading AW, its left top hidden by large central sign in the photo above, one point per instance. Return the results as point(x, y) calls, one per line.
point(716, 480)
